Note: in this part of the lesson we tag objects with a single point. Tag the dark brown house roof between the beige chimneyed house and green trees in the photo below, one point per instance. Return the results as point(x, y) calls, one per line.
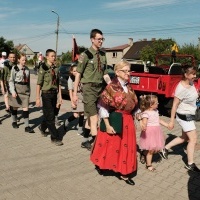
point(134, 51)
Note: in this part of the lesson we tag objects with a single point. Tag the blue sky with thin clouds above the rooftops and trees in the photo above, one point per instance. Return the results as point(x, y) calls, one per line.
point(33, 23)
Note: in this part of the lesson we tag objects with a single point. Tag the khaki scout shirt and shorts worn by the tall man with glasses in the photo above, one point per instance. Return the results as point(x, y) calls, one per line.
point(91, 78)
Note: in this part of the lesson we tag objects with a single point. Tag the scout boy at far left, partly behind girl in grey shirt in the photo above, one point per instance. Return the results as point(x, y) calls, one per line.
point(8, 64)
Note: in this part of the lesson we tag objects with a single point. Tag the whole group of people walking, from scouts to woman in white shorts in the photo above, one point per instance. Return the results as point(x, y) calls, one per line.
point(110, 149)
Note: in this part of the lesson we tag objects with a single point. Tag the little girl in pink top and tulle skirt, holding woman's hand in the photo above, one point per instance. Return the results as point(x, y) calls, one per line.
point(151, 138)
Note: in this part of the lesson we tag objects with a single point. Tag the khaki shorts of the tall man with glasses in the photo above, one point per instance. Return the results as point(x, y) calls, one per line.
point(90, 98)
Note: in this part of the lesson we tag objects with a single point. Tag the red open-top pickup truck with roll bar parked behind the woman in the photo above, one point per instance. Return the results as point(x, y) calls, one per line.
point(160, 79)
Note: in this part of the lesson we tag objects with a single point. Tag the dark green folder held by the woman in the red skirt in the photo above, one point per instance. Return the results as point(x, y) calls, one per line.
point(115, 120)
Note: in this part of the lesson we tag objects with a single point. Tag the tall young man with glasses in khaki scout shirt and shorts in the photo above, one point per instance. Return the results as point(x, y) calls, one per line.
point(91, 71)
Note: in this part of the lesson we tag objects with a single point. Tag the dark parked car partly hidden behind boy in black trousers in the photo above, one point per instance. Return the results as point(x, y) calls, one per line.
point(64, 70)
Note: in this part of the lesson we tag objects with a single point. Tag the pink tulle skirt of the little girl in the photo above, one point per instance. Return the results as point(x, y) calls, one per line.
point(152, 139)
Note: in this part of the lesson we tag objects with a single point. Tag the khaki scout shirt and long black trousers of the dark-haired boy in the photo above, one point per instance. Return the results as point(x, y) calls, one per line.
point(49, 85)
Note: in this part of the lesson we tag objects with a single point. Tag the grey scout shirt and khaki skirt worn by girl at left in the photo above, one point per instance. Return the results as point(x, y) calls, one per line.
point(20, 86)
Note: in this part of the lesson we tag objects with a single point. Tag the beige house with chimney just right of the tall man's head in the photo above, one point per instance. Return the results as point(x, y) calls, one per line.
point(115, 54)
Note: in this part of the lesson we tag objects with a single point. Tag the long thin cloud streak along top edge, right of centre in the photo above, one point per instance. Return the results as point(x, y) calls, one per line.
point(131, 4)
